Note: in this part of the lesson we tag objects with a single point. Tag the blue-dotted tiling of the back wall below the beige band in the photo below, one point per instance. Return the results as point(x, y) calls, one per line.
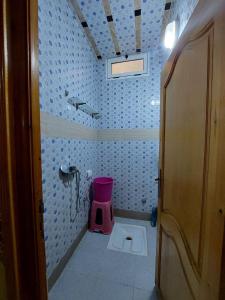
point(134, 166)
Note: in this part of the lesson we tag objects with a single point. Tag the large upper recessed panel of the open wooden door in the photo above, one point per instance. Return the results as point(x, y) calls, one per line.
point(186, 106)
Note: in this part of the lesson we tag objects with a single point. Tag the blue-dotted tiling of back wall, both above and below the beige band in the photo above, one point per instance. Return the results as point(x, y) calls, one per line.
point(127, 103)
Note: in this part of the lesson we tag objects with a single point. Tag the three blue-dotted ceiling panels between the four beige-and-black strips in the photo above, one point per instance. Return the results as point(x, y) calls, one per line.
point(124, 20)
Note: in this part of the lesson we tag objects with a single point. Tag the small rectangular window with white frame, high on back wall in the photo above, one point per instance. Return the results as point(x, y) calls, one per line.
point(133, 65)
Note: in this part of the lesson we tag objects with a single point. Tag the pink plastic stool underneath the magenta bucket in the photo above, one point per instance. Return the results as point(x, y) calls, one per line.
point(102, 219)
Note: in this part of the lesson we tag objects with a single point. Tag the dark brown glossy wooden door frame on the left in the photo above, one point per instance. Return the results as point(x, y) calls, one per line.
point(22, 251)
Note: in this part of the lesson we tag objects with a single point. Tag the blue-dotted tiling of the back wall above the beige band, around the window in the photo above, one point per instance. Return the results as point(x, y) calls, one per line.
point(126, 103)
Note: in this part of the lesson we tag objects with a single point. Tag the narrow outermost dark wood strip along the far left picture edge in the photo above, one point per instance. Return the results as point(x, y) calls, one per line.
point(8, 256)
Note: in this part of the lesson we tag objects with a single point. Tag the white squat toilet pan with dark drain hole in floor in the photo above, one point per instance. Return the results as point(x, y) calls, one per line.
point(128, 238)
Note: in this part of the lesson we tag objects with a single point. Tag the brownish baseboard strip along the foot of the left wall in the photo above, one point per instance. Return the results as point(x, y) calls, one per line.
point(63, 262)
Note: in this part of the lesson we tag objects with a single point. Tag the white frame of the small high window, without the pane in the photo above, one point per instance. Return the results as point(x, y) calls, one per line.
point(141, 56)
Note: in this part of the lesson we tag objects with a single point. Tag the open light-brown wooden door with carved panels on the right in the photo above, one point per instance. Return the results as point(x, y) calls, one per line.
point(192, 161)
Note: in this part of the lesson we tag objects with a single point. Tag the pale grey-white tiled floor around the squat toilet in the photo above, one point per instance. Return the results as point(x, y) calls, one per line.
point(96, 273)
